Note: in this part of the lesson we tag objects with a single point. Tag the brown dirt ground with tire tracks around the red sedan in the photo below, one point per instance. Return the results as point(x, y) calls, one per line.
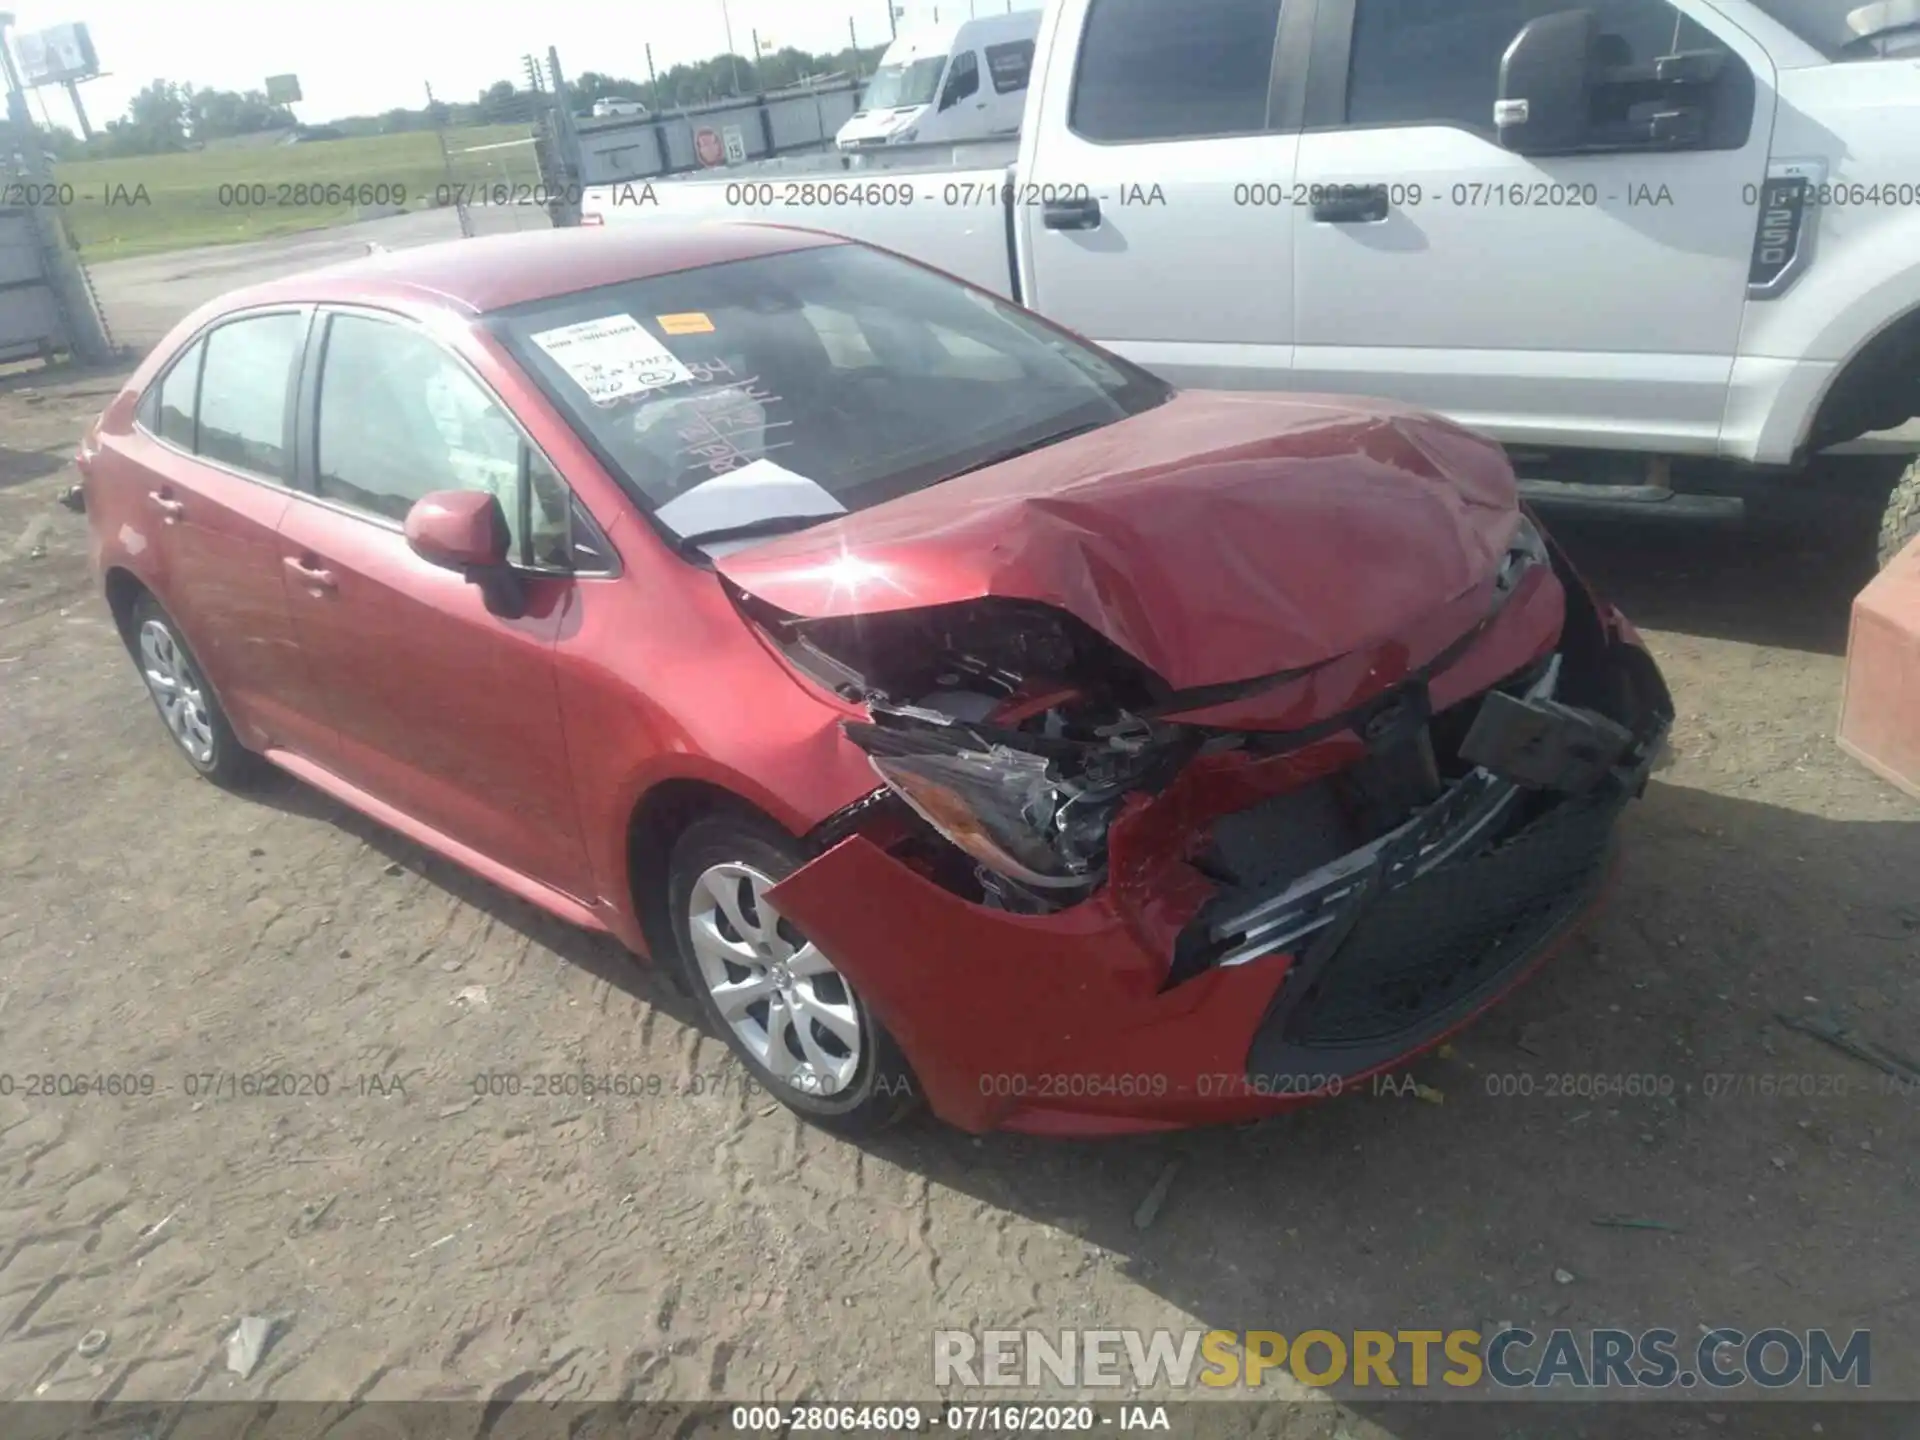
point(416, 1241)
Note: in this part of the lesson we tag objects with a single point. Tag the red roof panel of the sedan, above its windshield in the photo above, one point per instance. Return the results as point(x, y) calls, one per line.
point(508, 270)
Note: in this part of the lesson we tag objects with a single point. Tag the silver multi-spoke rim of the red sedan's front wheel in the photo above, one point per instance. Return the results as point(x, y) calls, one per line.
point(779, 994)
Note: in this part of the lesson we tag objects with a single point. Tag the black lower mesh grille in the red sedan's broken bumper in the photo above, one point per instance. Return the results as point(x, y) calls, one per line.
point(1424, 955)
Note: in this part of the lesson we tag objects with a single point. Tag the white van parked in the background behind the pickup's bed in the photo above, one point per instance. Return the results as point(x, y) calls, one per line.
point(953, 84)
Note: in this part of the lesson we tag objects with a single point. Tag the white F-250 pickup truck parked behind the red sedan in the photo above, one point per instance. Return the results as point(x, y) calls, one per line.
point(1666, 251)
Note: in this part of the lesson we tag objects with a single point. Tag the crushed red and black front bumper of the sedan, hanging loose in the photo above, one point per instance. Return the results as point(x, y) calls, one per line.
point(1080, 1024)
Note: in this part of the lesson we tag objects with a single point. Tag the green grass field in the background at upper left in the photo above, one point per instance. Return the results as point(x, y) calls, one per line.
point(220, 197)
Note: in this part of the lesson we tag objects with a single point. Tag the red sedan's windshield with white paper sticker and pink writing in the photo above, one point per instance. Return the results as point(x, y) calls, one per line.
point(807, 385)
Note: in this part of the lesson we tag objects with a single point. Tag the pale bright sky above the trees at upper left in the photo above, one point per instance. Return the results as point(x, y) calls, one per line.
point(364, 57)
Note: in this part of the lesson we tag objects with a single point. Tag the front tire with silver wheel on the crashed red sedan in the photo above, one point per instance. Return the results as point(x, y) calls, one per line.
point(804, 1034)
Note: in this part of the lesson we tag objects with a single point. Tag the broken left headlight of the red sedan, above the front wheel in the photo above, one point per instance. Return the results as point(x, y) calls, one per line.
point(1001, 807)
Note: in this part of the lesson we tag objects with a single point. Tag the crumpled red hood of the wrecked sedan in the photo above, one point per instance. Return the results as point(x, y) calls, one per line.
point(1216, 539)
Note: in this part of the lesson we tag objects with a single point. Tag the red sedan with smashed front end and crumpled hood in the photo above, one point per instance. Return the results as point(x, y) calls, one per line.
point(963, 711)
